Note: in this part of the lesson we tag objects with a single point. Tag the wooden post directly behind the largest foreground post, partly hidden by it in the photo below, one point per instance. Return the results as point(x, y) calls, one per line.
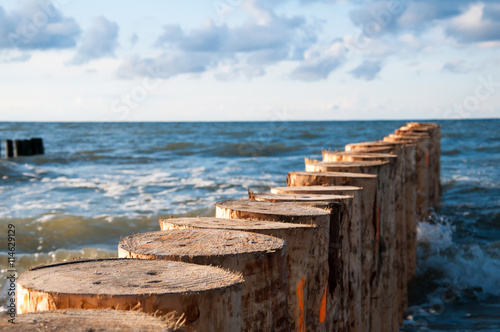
point(260, 258)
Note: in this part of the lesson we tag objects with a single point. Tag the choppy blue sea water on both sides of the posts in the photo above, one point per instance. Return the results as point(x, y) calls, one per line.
point(98, 182)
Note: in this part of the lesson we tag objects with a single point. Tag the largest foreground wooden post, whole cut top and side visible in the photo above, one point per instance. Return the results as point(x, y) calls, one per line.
point(208, 297)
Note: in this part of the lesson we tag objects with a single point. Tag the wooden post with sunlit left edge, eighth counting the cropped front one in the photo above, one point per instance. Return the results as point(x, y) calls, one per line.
point(369, 224)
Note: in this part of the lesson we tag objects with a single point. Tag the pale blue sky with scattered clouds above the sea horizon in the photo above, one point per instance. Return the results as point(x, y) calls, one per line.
point(248, 60)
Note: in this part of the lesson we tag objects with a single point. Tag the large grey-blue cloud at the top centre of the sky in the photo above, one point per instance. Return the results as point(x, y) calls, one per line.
point(246, 50)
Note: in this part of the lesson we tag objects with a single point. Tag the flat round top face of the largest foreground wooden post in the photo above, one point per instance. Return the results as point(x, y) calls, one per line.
point(125, 277)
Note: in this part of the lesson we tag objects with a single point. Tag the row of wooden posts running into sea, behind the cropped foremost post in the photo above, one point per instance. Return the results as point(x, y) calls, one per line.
point(332, 251)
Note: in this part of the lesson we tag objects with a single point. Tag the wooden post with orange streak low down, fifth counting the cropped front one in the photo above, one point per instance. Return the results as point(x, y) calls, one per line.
point(316, 282)
